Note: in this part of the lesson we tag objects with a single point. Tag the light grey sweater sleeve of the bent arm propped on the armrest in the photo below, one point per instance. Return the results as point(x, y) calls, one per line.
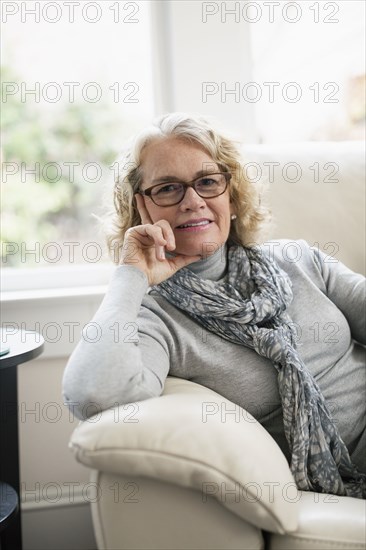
point(123, 354)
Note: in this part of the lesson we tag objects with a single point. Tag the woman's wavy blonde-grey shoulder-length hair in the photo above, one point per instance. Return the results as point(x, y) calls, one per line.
point(244, 194)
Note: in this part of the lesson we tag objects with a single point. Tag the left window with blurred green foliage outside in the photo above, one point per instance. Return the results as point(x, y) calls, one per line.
point(76, 82)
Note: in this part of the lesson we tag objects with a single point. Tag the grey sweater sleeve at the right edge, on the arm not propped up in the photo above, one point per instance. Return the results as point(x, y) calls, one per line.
point(347, 290)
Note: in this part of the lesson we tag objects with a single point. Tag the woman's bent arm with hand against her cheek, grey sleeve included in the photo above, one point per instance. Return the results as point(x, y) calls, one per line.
point(123, 354)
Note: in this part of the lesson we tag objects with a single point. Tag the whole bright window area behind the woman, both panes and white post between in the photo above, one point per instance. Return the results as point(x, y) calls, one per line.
point(79, 78)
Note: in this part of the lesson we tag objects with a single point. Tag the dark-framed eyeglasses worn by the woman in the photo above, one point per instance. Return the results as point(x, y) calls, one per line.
point(171, 193)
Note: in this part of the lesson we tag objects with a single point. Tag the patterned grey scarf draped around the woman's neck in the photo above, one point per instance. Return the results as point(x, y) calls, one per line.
point(249, 308)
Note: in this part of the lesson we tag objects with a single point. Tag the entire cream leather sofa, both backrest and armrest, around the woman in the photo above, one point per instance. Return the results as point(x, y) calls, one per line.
point(190, 469)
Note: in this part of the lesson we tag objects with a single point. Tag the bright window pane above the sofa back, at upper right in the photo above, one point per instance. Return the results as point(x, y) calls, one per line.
point(309, 70)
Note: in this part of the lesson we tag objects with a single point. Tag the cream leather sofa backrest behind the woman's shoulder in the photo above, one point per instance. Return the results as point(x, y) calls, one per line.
point(326, 206)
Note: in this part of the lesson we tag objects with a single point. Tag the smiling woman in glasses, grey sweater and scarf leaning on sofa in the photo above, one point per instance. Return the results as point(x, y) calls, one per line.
point(193, 297)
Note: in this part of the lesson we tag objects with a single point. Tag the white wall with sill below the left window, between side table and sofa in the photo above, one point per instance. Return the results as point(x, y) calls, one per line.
point(55, 489)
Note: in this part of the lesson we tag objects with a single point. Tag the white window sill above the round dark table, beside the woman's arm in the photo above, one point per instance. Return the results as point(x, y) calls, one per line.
point(33, 302)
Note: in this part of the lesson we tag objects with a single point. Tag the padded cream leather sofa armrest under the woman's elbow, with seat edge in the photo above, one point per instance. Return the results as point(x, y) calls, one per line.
point(191, 470)
